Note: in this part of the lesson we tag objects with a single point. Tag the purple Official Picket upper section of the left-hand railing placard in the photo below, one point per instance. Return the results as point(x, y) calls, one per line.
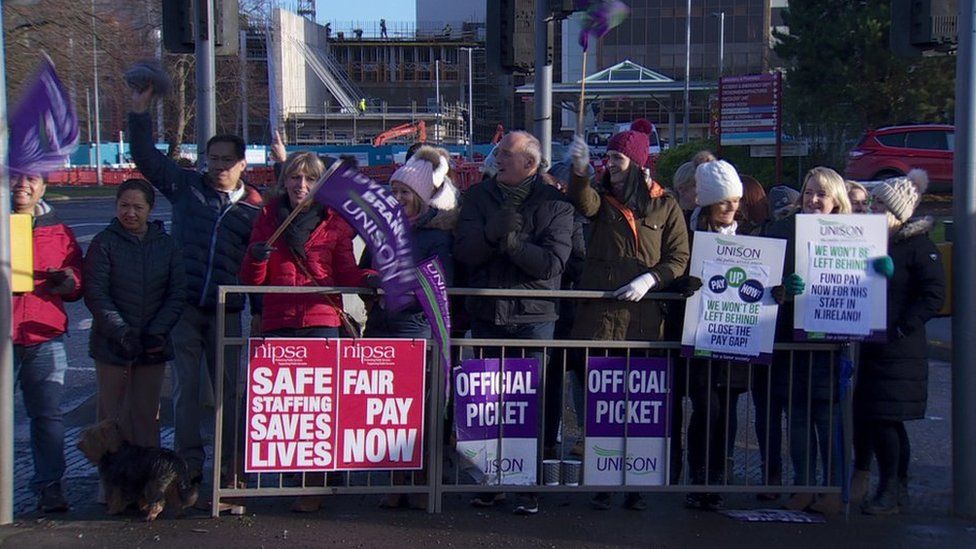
point(481, 389)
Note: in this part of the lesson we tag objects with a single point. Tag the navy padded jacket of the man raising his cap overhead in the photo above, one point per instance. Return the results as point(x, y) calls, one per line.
point(211, 231)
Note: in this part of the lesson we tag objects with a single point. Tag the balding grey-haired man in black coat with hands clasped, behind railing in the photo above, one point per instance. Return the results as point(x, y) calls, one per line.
point(515, 232)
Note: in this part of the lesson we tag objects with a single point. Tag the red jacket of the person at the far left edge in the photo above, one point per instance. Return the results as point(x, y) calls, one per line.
point(39, 316)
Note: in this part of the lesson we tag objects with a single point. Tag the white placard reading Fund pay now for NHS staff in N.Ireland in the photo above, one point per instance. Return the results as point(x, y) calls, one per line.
point(845, 299)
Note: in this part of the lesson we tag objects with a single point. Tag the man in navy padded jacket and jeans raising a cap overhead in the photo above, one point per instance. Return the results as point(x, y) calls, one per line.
point(213, 213)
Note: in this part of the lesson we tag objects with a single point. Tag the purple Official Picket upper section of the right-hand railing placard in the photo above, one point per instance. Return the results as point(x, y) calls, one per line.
point(608, 397)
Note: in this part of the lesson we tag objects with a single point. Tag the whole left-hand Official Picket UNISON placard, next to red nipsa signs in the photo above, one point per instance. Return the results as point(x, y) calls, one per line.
point(496, 410)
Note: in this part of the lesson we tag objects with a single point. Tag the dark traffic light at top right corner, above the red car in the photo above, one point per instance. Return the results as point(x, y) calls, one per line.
point(923, 27)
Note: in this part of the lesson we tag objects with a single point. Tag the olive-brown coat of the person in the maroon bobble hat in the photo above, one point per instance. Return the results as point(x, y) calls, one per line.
point(617, 253)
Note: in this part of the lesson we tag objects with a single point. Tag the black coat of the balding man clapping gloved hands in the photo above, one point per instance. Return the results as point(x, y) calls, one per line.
point(547, 232)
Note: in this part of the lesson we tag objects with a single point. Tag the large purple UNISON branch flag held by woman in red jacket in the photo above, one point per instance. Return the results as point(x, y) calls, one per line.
point(376, 215)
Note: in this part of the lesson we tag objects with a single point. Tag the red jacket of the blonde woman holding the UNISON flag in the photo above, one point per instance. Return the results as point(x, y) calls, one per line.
point(329, 258)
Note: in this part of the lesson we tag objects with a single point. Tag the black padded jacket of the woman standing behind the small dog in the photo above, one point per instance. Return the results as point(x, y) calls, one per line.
point(133, 284)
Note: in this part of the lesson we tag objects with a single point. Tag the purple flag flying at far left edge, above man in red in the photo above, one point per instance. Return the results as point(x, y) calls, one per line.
point(44, 126)
